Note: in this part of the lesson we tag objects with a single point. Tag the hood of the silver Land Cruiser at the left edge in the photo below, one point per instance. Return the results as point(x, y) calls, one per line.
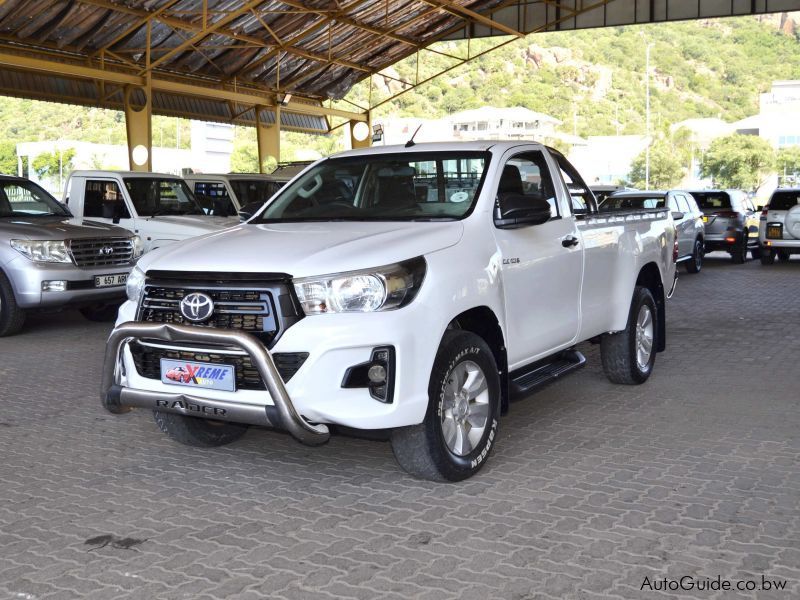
point(57, 228)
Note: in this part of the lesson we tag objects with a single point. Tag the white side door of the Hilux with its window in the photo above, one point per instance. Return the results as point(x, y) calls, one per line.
point(542, 265)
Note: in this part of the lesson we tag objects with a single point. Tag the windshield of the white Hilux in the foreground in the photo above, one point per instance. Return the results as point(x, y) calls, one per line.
point(405, 186)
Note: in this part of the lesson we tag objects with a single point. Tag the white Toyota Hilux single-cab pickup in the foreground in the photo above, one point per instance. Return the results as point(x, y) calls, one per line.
point(414, 290)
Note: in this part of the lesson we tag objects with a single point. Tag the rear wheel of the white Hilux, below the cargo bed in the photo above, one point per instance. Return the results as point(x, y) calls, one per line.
point(629, 355)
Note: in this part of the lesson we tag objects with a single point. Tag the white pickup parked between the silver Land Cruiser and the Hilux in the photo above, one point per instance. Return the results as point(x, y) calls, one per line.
point(159, 208)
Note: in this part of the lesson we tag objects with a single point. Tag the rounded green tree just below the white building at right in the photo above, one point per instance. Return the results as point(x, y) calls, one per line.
point(738, 161)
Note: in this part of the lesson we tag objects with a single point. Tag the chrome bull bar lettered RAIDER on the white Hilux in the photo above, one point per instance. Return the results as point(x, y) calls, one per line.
point(118, 399)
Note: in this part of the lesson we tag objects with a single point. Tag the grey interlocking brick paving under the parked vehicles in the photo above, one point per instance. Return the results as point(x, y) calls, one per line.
point(591, 489)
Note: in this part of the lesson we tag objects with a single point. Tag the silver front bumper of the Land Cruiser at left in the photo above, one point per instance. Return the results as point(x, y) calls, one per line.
point(27, 277)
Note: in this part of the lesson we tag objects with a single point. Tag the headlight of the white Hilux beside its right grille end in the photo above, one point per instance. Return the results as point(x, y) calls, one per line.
point(382, 288)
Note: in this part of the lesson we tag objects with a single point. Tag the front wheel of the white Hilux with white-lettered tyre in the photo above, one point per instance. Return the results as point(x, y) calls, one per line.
point(454, 440)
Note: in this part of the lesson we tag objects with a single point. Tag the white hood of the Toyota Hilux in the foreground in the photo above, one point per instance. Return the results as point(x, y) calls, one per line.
point(305, 249)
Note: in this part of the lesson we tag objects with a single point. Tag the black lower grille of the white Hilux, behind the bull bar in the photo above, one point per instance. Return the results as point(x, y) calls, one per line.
point(147, 359)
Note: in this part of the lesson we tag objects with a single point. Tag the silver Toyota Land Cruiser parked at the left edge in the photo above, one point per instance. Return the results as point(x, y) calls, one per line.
point(49, 260)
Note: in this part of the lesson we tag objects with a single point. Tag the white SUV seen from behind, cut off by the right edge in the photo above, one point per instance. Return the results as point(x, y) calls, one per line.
point(779, 227)
